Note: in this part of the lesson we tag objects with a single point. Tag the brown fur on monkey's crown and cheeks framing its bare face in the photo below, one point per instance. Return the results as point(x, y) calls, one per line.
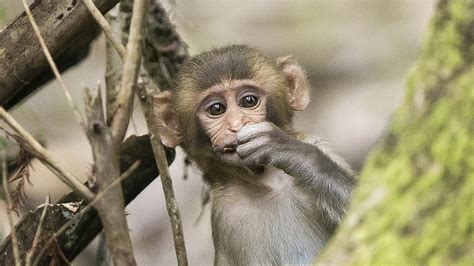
point(211, 68)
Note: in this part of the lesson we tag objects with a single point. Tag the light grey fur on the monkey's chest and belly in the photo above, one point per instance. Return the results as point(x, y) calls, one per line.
point(264, 222)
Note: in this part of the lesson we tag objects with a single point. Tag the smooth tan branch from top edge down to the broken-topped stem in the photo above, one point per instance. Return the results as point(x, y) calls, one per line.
point(130, 71)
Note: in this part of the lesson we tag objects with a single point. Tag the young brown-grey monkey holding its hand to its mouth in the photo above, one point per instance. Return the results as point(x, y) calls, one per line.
point(276, 198)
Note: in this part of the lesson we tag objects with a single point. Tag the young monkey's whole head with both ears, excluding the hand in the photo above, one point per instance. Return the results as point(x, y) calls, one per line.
point(219, 92)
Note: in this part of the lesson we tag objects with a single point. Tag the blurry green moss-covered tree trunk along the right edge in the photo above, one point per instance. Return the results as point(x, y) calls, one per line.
point(414, 201)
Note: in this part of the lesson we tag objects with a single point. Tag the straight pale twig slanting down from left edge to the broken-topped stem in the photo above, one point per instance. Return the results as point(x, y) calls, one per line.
point(43, 155)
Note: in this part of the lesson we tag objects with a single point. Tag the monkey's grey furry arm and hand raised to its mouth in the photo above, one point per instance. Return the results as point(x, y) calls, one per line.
point(315, 171)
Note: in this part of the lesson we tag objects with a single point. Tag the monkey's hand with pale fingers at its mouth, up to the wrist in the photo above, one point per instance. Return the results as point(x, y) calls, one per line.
point(264, 143)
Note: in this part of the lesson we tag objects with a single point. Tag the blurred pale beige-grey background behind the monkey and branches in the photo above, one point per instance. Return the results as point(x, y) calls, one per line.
point(357, 55)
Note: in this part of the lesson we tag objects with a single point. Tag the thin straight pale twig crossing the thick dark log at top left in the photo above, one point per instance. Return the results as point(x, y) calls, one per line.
point(52, 64)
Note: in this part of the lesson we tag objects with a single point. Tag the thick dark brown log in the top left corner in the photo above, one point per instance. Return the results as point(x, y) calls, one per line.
point(23, 66)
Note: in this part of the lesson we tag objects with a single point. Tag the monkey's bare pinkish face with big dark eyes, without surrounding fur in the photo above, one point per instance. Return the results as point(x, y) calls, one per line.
point(225, 108)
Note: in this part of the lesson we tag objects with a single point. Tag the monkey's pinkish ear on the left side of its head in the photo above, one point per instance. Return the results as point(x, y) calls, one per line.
point(166, 119)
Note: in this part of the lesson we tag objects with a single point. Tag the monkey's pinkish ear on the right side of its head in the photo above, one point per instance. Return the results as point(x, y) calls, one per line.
point(298, 89)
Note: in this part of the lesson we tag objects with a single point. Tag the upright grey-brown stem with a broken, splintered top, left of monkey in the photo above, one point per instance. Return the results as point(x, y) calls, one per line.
point(106, 161)
